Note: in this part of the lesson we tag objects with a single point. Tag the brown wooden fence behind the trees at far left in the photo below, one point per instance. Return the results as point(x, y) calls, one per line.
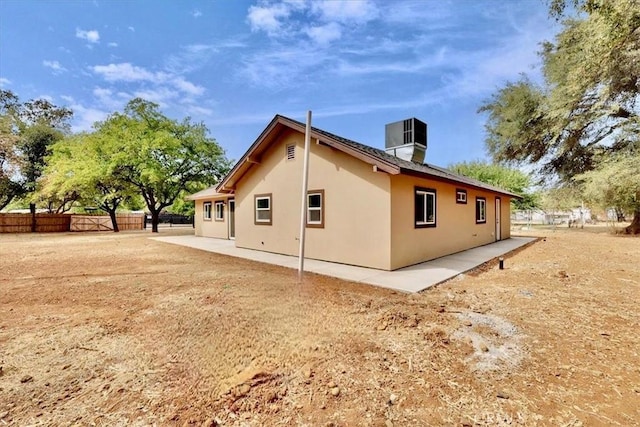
point(52, 223)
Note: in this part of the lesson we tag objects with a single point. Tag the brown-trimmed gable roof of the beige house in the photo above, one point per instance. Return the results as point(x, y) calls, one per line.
point(382, 160)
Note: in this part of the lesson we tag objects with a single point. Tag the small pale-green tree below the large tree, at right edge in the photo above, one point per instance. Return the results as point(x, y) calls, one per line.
point(615, 183)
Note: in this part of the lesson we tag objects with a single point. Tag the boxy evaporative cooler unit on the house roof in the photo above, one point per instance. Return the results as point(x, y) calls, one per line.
point(407, 139)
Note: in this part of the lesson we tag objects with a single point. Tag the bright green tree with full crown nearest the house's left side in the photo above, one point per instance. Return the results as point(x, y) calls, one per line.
point(161, 157)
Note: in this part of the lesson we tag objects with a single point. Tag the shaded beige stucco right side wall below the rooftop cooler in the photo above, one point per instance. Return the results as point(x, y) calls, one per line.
point(456, 228)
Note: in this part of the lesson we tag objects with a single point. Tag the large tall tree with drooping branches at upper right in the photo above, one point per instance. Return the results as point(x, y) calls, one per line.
point(586, 108)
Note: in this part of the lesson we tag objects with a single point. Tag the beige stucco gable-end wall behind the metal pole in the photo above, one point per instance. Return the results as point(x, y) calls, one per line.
point(356, 205)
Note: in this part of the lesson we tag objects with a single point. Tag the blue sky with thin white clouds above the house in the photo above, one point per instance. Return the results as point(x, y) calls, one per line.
point(234, 64)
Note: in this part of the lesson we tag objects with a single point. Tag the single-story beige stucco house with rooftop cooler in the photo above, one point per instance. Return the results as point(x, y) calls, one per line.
point(383, 209)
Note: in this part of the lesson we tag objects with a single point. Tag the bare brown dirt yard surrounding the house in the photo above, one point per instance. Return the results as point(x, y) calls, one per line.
point(117, 329)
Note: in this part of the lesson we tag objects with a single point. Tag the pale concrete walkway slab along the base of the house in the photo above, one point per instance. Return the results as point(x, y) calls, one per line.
point(415, 278)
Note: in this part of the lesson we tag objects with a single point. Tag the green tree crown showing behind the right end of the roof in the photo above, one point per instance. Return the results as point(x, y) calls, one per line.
point(513, 180)
